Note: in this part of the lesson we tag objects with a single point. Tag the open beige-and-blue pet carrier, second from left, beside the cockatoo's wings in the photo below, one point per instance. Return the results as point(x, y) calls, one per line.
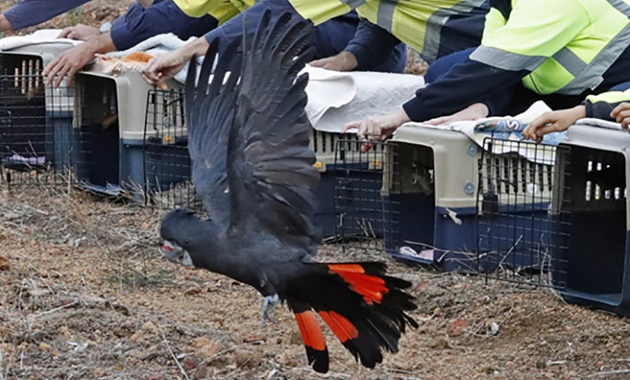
point(111, 113)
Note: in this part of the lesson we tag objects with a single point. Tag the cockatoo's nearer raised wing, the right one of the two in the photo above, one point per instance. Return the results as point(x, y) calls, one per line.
point(270, 166)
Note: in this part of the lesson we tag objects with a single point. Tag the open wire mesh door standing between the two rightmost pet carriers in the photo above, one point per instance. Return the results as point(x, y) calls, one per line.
point(513, 202)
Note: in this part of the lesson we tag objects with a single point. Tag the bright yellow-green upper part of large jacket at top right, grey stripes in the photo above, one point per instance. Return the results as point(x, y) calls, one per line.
point(566, 44)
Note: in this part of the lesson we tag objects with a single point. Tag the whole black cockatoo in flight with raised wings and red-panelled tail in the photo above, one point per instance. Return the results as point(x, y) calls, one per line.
point(253, 169)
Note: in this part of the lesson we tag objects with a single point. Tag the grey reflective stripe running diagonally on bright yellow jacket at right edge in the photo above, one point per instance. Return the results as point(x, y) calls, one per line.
point(592, 76)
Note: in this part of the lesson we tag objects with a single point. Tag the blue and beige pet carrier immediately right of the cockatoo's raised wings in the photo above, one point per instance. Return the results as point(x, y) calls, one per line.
point(348, 195)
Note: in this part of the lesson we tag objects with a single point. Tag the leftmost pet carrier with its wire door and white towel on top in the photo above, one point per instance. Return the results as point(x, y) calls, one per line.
point(35, 119)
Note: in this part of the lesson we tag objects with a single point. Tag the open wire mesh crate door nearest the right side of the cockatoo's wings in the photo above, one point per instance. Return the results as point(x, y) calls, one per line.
point(359, 204)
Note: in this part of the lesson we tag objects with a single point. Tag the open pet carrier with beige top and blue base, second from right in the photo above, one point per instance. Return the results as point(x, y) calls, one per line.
point(432, 183)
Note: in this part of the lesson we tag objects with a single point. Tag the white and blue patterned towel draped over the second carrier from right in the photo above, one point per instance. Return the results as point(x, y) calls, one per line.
point(505, 130)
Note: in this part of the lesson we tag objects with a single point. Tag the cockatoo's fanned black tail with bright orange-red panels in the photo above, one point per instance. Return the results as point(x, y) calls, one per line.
point(362, 305)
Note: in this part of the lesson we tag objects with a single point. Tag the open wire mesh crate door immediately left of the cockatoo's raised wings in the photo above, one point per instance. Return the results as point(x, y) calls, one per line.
point(167, 163)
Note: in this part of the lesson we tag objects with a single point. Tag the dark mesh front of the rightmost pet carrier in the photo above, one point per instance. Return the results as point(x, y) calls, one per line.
point(595, 213)
